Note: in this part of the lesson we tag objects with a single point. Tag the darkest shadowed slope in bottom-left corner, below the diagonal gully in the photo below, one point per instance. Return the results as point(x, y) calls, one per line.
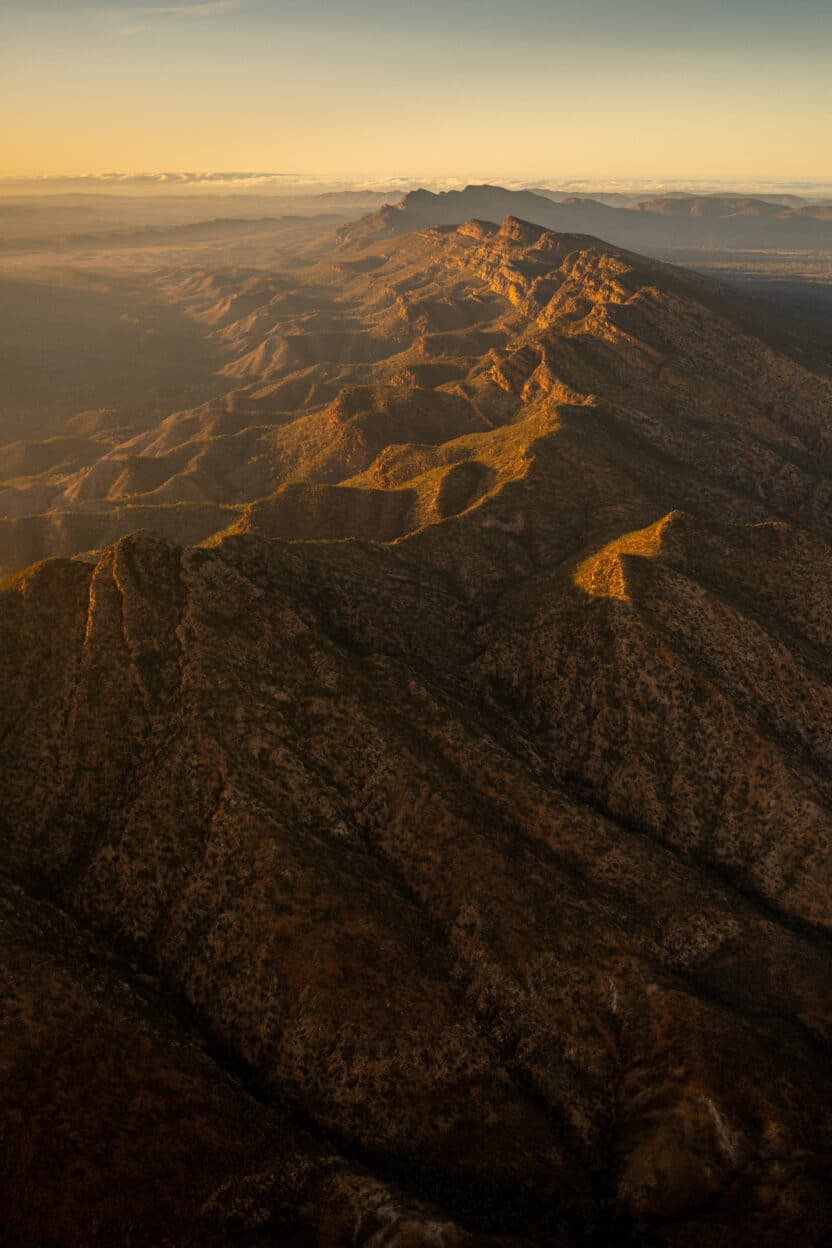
point(119, 1129)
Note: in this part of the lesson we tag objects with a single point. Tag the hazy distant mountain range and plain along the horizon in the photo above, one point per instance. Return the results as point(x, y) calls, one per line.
point(672, 225)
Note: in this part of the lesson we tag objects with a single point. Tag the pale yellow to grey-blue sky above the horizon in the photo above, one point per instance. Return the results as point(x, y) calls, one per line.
point(526, 90)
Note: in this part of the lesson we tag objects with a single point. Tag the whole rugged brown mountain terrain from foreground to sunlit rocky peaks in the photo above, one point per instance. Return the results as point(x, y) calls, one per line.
point(423, 836)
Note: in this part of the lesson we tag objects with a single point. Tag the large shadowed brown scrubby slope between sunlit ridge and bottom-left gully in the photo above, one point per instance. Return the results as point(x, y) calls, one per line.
point(359, 836)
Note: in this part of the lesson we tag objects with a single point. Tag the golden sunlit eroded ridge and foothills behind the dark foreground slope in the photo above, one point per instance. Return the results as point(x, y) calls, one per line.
point(384, 388)
